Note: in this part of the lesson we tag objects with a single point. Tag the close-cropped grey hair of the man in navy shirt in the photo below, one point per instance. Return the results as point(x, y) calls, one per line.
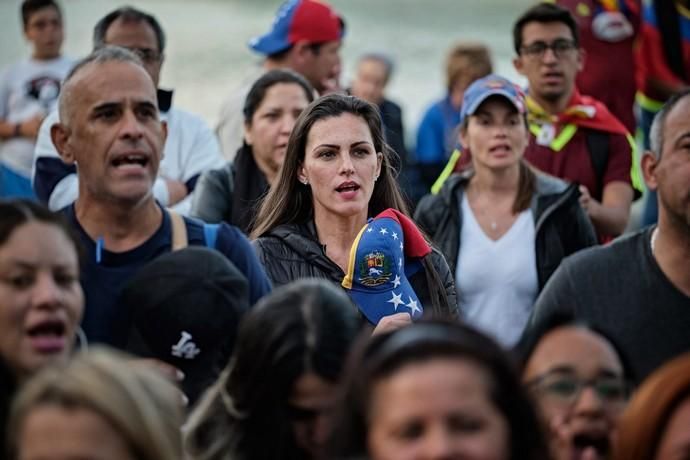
point(70, 86)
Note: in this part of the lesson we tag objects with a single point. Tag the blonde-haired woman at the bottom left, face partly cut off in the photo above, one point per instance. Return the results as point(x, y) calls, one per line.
point(99, 406)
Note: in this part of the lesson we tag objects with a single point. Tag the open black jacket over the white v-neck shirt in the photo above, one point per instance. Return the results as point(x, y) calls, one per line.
point(561, 225)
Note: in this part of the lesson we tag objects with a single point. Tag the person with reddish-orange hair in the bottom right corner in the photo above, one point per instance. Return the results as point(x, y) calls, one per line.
point(656, 424)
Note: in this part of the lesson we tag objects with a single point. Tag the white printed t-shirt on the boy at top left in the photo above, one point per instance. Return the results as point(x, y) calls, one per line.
point(28, 88)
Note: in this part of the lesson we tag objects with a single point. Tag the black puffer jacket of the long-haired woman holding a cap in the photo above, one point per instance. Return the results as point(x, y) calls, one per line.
point(292, 251)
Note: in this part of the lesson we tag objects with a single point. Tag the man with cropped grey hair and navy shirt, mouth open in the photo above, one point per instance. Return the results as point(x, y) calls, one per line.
point(110, 127)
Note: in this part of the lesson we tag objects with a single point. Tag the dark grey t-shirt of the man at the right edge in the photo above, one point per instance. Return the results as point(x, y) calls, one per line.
point(621, 290)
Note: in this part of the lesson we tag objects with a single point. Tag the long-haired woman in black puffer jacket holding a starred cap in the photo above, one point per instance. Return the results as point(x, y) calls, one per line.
point(336, 175)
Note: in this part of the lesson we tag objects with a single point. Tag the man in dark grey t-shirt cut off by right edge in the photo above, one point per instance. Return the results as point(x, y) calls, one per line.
point(637, 288)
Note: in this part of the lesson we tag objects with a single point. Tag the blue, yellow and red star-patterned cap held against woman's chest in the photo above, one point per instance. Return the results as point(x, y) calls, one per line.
point(386, 251)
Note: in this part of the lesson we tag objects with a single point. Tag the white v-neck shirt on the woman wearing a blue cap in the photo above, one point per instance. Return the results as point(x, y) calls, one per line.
point(497, 280)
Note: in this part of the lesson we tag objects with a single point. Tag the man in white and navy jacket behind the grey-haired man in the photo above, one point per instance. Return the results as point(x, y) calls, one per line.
point(191, 146)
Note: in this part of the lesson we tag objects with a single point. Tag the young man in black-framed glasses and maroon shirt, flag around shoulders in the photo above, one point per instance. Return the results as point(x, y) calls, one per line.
point(573, 136)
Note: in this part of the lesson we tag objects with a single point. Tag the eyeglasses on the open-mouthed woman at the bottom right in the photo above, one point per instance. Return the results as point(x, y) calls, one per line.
point(566, 389)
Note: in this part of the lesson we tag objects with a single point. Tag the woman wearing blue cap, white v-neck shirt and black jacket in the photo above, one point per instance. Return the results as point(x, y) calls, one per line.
point(502, 226)
